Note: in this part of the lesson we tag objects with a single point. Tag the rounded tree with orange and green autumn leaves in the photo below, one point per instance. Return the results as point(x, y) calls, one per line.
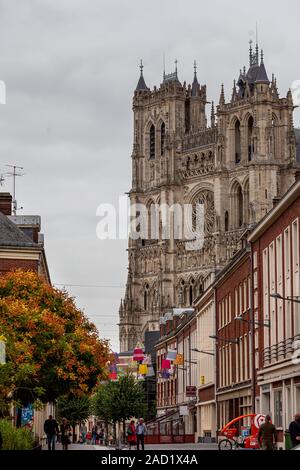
point(52, 349)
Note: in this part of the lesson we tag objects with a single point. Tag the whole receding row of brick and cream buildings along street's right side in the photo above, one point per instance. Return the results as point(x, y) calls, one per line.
point(241, 341)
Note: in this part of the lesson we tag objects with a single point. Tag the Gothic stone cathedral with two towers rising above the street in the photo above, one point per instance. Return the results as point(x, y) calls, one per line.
point(236, 165)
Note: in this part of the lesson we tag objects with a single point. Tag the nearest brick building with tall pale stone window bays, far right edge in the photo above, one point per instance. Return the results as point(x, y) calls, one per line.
point(276, 294)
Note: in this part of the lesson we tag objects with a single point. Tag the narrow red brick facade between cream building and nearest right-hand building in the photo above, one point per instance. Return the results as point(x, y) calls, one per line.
point(233, 339)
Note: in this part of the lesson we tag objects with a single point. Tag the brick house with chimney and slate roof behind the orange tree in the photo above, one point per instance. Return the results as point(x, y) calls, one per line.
point(21, 242)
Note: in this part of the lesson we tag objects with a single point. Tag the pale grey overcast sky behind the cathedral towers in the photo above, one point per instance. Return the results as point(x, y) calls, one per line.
point(70, 67)
